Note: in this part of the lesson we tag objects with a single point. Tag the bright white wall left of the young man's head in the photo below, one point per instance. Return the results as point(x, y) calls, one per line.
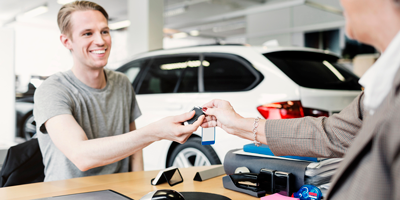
point(38, 51)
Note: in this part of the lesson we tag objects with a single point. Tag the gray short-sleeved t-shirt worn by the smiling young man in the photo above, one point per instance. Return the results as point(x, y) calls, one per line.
point(100, 112)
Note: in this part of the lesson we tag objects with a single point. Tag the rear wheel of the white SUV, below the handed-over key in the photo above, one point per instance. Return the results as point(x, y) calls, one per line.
point(192, 153)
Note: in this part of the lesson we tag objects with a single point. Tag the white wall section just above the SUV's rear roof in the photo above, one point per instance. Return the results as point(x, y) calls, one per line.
point(287, 25)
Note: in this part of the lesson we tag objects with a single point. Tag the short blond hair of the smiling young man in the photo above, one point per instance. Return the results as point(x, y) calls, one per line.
point(64, 14)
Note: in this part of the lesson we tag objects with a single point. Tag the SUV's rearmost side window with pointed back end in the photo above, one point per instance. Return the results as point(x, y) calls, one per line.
point(224, 74)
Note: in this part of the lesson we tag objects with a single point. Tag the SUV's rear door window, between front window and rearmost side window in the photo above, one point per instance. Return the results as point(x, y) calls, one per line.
point(171, 74)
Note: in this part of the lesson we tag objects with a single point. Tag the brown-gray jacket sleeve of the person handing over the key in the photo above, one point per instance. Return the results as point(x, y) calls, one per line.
point(327, 137)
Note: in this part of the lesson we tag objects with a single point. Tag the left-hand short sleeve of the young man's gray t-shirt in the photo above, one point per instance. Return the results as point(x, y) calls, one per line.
point(50, 101)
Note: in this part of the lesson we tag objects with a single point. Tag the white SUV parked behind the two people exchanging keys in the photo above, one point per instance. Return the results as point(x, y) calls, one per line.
point(269, 82)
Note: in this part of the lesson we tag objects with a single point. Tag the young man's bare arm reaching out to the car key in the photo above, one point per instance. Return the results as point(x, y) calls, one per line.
point(86, 154)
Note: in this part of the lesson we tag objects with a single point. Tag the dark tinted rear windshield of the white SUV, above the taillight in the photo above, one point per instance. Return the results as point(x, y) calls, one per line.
point(314, 70)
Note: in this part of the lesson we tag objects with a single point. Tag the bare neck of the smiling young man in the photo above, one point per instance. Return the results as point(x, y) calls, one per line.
point(92, 78)
